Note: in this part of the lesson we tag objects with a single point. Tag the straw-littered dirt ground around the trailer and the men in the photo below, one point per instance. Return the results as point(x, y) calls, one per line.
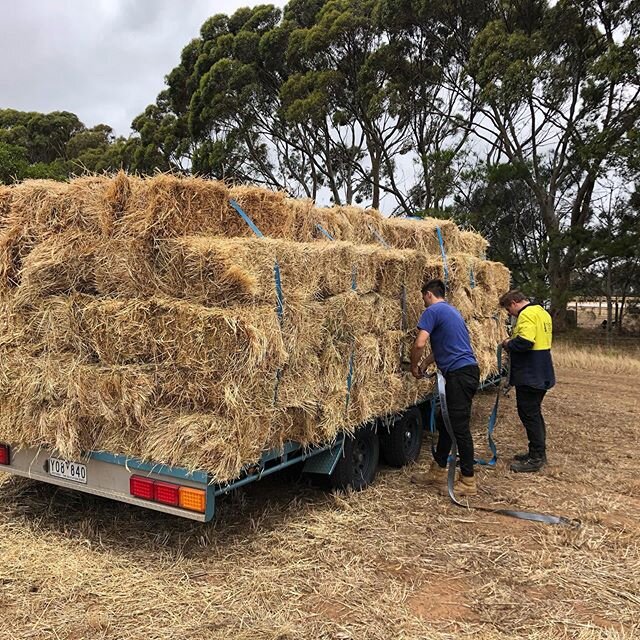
point(288, 561)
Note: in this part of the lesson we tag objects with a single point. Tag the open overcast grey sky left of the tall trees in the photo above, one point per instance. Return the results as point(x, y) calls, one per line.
point(104, 60)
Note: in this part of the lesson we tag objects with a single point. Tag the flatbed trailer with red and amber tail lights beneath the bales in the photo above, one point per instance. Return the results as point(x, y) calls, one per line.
point(351, 460)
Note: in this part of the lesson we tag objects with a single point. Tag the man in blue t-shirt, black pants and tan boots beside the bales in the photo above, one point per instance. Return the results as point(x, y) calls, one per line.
point(451, 350)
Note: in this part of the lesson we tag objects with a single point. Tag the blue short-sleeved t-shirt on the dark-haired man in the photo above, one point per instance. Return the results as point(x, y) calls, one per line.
point(449, 336)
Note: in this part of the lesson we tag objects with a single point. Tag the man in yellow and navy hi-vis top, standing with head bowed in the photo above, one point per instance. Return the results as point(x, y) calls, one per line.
point(531, 373)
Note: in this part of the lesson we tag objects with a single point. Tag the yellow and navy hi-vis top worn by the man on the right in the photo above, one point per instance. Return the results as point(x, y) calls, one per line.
point(530, 349)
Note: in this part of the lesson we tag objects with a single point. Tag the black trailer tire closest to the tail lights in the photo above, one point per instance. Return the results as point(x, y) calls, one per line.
point(357, 466)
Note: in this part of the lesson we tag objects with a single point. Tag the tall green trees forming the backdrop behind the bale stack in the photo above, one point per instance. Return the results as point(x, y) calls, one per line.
point(512, 116)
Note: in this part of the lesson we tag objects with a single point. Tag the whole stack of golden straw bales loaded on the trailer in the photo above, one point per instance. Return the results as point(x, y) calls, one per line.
point(140, 316)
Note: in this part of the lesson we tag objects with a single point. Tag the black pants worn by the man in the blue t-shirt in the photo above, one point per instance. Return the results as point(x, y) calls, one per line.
point(462, 385)
